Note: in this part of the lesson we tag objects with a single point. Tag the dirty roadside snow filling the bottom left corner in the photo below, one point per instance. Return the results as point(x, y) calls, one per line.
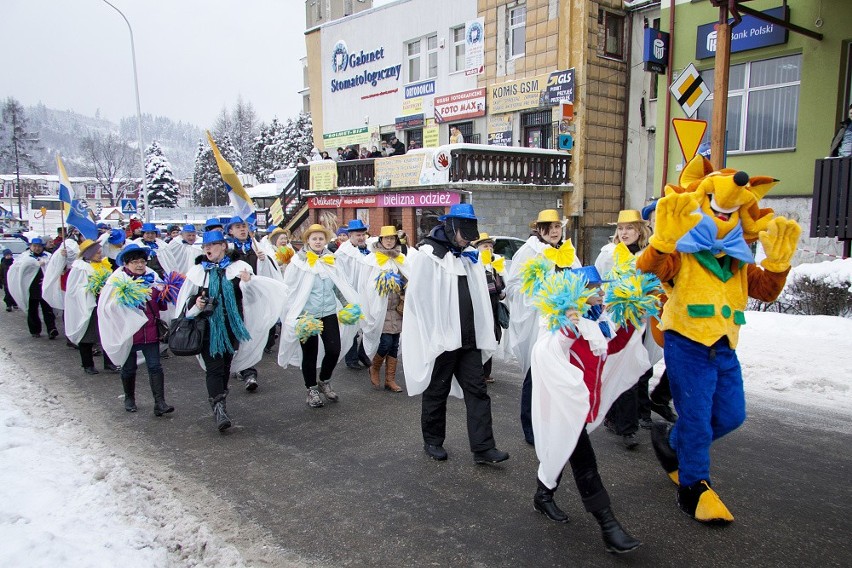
point(66, 500)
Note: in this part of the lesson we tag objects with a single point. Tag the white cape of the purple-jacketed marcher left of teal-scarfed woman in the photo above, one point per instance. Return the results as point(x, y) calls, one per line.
point(117, 323)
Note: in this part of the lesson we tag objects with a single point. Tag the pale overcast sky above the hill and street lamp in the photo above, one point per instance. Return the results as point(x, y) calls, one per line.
point(193, 56)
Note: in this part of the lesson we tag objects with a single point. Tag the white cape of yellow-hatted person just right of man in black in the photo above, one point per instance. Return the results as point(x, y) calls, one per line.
point(524, 328)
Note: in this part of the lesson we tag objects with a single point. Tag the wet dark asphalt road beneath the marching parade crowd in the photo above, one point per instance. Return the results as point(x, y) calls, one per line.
point(349, 484)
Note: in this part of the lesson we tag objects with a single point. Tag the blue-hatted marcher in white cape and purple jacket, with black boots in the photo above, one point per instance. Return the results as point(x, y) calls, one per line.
point(127, 330)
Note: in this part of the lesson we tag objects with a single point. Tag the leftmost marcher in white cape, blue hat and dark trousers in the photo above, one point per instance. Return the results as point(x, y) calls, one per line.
point(24, 281)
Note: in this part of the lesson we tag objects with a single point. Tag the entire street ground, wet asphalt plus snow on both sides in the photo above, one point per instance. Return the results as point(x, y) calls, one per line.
point(83, 483)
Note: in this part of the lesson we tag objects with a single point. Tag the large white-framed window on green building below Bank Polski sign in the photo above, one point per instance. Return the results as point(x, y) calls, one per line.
point(763, 104)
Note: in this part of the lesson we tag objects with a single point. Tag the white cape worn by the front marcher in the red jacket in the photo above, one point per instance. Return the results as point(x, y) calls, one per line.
point(560, 398)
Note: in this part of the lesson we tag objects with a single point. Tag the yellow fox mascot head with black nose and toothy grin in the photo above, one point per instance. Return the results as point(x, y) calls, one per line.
point(727, 196)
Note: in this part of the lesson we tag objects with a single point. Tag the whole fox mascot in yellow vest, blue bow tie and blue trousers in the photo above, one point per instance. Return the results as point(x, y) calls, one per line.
point(700, 249)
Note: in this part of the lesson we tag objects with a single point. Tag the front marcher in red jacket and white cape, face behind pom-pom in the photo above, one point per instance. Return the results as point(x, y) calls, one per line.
point(577, 374)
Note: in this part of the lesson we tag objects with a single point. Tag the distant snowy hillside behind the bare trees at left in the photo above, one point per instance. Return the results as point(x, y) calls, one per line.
point(63, 130)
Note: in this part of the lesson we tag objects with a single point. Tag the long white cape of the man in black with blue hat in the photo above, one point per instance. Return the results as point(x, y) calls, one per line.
point(431, 322)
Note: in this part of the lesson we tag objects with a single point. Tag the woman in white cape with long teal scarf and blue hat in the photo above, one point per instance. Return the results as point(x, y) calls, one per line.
point(239, 307)
